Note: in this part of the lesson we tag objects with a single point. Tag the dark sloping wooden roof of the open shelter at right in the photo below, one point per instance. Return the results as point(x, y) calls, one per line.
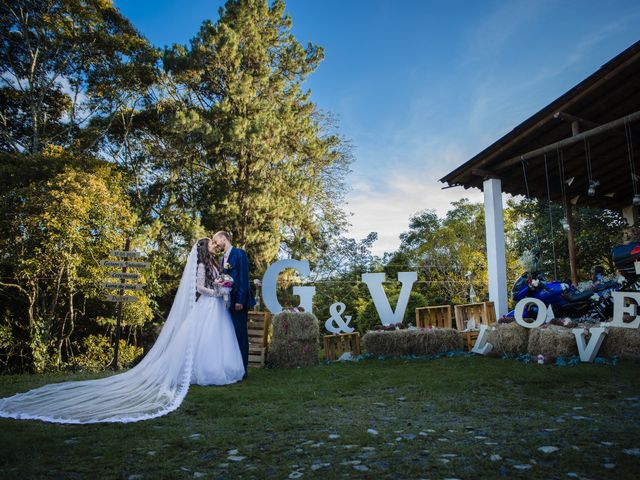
point(611, 93)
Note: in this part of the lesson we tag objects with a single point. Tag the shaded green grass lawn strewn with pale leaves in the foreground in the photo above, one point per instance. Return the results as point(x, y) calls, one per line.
point(462, 417)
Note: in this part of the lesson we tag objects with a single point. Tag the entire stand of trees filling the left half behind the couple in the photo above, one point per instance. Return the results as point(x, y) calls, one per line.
point(105, 137)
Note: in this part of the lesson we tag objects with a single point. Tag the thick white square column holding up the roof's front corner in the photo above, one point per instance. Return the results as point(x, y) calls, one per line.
point(496, 259)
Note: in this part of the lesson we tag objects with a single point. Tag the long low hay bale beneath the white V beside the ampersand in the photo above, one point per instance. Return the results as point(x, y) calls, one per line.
point(419, 341)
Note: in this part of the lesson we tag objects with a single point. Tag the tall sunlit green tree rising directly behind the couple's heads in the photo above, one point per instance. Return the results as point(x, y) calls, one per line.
point(270, 166)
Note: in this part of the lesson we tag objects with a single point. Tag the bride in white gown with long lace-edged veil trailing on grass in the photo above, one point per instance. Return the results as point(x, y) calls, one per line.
point(197, 345)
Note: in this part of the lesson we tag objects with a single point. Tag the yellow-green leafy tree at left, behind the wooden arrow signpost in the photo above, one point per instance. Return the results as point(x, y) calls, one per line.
point(63, 226)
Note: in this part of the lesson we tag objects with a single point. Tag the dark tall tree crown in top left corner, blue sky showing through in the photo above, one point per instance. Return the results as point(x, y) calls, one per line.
point(64, 63)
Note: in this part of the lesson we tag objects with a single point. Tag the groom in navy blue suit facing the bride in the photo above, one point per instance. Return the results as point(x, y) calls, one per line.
point(235, 263)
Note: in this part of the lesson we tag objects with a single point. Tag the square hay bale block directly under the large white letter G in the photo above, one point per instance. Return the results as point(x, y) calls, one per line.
point(295, 340)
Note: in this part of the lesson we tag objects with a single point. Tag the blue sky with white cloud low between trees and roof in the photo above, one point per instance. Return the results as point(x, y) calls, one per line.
point(420, 86)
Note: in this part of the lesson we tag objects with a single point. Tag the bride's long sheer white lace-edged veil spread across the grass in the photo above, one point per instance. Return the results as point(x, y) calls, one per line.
point(154, 387)
